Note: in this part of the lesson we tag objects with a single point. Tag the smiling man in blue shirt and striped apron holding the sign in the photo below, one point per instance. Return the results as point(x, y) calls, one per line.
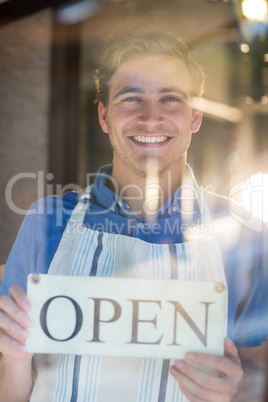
point(145, 86)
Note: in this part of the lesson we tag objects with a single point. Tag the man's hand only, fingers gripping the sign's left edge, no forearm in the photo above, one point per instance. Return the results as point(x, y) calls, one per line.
point(14, 322)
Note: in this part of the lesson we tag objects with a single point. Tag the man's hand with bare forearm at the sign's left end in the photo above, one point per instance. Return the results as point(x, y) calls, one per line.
point(16, 376)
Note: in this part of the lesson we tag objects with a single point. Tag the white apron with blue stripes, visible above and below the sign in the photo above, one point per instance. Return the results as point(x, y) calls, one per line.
point(86, 252)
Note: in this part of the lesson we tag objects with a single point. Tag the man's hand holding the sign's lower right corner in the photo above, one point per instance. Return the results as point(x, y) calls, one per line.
point(199, 386)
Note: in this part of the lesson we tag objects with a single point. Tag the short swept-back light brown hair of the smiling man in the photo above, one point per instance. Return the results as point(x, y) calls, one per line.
point(143, 44)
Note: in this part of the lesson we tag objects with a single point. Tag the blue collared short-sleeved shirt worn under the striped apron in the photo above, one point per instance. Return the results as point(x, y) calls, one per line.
point(244, 250)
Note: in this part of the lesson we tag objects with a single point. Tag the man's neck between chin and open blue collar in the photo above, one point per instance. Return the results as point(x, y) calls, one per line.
point(147, 194)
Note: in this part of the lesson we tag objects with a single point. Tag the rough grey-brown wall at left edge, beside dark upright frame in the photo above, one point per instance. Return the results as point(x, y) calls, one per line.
point(24, 105)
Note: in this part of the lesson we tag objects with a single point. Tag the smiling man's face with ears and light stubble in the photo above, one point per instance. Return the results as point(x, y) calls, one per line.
point(149, 116)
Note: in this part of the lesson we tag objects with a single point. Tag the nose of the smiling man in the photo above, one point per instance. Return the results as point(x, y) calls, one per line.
point(151, 115)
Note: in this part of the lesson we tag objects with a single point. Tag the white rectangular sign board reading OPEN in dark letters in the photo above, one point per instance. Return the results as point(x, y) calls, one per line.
point(125, 317)
